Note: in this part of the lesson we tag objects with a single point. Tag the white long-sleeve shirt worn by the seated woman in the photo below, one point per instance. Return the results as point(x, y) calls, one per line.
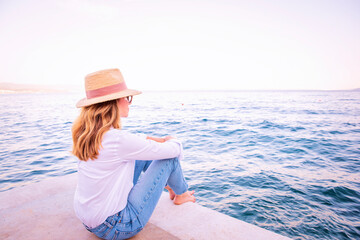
point(104, 183)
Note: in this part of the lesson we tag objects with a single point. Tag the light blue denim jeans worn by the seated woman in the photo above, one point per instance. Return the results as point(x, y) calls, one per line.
point(143, 198)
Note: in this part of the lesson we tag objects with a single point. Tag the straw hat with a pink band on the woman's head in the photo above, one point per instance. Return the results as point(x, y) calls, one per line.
point(105, 85)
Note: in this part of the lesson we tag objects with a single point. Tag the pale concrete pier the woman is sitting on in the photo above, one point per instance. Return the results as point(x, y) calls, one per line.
point(44, 210)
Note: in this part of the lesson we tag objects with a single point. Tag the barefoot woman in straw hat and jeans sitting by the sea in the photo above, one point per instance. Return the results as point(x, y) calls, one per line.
point(110, 199)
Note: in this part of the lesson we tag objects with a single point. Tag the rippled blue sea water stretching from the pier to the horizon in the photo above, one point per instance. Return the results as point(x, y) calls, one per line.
point(286, 161)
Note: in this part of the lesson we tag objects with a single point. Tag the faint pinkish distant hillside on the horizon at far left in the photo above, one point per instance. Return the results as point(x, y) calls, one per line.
point(28, 88)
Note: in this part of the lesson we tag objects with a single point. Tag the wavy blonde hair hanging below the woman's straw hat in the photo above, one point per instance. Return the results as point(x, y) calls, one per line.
point(90, 126)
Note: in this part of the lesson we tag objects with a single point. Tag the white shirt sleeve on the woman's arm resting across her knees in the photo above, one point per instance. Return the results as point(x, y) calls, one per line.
point(135, 147)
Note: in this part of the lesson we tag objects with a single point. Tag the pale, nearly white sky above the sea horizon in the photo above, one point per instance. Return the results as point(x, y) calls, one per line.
point(184, 45)
